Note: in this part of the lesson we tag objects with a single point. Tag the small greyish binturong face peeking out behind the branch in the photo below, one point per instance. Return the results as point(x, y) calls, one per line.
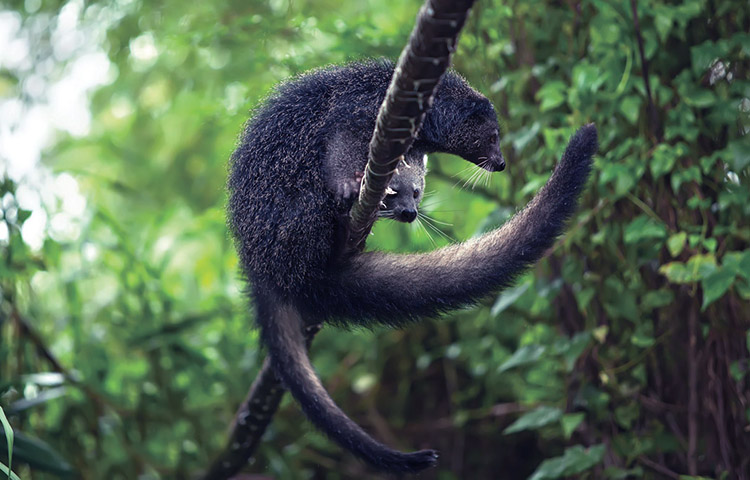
point(405, 190)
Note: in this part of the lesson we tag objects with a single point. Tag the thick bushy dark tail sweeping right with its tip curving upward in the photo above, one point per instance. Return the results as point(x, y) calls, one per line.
point(391, 288)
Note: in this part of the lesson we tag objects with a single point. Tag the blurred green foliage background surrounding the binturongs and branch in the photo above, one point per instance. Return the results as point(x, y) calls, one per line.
point(125, 341)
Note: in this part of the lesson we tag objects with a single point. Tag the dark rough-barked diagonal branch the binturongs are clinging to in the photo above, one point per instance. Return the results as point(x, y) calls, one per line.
point(421, 65)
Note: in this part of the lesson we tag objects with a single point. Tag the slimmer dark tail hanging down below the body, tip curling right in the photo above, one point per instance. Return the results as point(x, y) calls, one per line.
point(282, 333)
